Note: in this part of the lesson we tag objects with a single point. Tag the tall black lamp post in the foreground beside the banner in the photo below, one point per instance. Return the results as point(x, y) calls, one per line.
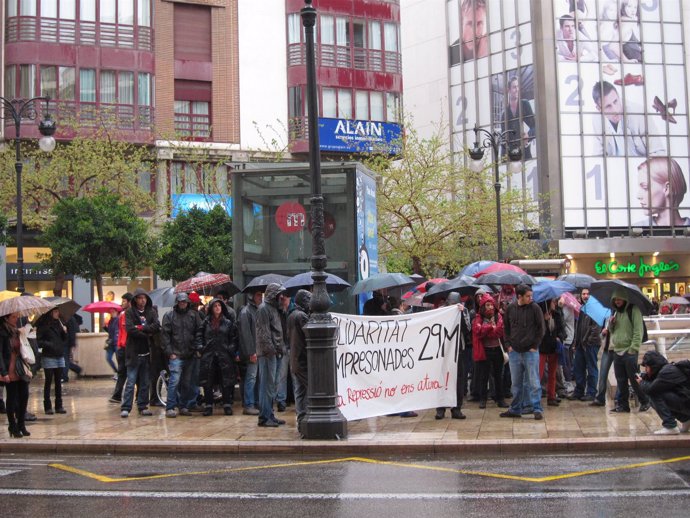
point(323, 419)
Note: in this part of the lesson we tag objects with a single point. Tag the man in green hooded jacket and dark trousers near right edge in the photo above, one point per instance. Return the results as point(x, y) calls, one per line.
point(626, 328)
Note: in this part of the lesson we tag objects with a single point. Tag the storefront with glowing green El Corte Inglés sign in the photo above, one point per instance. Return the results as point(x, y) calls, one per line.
point(659, 266)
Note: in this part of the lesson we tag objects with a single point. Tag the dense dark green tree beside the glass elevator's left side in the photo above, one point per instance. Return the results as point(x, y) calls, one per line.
point(195, 241)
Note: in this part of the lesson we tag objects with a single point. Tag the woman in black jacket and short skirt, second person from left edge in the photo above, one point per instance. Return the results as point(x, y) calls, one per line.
point(51, 335)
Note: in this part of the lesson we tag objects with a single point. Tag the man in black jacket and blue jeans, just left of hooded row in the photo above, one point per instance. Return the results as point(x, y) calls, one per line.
point(141, 323)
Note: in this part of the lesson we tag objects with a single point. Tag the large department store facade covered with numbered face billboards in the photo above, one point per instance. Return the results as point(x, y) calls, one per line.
point(594, 93)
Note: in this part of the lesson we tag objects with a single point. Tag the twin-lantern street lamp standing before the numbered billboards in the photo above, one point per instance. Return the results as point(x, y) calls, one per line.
point(494, 140)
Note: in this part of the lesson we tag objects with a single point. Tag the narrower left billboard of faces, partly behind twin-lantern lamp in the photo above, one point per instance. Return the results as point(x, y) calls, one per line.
point(492, 81)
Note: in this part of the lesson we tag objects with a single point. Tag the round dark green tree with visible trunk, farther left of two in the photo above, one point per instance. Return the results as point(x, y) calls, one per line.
point(92, 236)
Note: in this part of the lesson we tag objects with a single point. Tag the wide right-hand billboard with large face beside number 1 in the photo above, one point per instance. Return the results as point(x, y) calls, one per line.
point(623, 113)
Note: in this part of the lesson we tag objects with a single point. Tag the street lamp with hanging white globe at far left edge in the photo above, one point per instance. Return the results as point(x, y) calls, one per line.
point(19, 109)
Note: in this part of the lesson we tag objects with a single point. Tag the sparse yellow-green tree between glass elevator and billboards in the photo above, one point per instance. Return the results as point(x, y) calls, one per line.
point(435, 214)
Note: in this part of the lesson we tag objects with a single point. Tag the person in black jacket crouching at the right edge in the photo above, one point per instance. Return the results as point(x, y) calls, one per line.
point(668, 388)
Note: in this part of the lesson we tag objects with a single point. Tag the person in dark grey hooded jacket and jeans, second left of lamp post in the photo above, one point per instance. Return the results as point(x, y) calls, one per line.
point(269, 349)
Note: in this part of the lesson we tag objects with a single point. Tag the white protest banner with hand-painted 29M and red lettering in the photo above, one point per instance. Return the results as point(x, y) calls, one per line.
point(392, 364)
